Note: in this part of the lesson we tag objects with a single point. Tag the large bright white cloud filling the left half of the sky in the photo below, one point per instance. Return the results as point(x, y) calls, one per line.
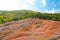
point(15, 4)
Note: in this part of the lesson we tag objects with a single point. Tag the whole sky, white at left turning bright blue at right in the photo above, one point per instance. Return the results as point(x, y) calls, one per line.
point(50, 6)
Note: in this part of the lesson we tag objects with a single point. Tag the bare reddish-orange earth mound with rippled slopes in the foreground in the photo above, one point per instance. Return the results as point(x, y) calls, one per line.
point(30, 29)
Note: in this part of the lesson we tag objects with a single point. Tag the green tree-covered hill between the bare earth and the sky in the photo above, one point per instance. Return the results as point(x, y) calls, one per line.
point(6, 16)
